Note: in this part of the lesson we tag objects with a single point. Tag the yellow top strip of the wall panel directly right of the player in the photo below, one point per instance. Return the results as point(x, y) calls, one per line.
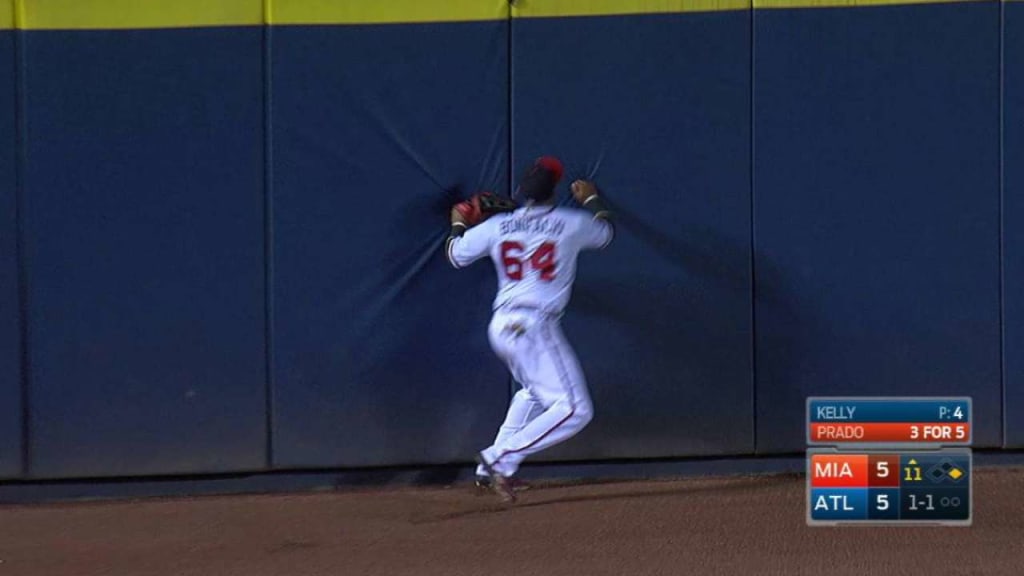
point(557, 9)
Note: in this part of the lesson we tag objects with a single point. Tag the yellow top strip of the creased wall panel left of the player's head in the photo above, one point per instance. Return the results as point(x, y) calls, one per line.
point(385, 12)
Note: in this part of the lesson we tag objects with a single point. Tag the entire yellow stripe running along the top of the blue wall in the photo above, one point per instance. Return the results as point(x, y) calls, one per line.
point(101, 15)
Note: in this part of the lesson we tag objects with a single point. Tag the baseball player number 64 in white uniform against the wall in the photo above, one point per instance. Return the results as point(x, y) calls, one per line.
point(534, 250)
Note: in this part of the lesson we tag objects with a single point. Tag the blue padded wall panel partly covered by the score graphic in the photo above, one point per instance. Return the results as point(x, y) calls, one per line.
point(877, 211)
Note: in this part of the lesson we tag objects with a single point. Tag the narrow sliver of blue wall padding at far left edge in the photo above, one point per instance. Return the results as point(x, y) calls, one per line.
point(11, 349)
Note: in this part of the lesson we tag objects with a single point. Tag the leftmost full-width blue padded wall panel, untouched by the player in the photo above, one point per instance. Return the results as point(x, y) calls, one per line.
point(146, 252)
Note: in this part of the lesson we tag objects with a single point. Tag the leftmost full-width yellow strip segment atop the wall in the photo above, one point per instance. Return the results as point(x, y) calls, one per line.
point(101, 15)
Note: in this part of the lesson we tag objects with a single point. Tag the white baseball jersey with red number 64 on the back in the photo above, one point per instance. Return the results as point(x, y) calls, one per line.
point(535, 253)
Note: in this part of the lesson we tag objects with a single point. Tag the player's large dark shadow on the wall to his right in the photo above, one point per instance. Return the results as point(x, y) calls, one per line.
point(668, 349)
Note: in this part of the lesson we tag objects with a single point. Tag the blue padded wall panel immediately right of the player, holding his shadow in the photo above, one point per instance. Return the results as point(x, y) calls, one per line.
point(656, 109)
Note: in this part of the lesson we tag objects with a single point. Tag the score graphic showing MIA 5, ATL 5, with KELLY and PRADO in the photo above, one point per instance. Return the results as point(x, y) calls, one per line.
point(889, 461)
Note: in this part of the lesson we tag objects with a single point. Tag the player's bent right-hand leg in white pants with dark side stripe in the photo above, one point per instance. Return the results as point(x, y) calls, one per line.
point(557, 381)
